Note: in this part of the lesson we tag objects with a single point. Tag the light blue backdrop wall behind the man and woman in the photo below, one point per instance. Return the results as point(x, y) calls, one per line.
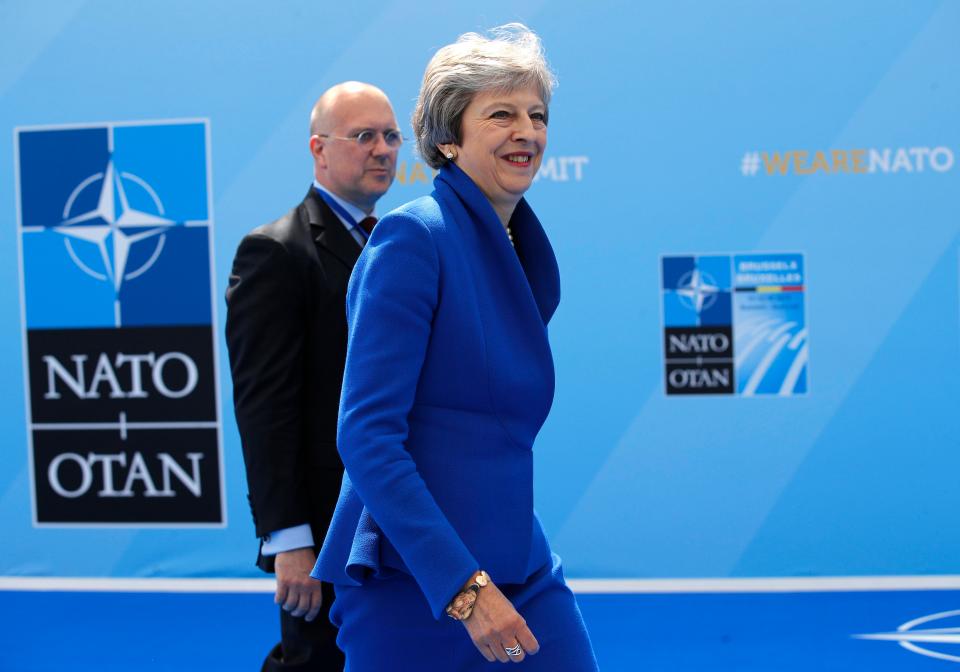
point(779, 175)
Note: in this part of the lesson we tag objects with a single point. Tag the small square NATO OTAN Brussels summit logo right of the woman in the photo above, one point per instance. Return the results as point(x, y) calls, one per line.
point(734, 324)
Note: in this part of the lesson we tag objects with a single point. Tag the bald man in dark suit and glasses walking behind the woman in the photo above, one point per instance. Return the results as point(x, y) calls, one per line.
point(287, 338)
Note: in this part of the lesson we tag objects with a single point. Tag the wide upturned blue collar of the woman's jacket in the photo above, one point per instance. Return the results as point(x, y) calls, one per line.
point(538, 277)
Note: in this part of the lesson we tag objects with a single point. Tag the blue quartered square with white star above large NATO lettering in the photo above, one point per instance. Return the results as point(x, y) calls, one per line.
point(115, 224)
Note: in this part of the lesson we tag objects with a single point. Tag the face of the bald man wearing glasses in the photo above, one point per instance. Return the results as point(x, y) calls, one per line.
point(358, 174)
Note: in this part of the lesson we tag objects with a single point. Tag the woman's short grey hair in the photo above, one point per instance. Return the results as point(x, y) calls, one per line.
point(511, 58)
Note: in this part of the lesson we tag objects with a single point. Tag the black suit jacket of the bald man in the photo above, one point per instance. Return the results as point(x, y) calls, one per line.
point(287, 338)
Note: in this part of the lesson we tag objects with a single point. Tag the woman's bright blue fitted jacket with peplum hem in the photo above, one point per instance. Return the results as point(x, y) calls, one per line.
point(448, 379)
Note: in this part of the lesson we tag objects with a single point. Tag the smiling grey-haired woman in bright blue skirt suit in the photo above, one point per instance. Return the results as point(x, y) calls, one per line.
point(449, 377)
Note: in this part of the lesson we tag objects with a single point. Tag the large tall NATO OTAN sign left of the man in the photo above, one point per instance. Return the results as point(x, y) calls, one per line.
point(123, 413)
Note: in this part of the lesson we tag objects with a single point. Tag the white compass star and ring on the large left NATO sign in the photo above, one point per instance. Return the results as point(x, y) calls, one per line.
point(113, 226)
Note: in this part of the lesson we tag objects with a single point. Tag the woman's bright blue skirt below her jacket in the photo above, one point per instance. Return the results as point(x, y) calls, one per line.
point(386, 624)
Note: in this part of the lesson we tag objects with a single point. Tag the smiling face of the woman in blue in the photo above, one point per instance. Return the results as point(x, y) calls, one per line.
point(504, 135)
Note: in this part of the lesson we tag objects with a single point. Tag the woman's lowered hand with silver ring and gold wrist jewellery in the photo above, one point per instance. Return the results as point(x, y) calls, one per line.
point(494, 626)
